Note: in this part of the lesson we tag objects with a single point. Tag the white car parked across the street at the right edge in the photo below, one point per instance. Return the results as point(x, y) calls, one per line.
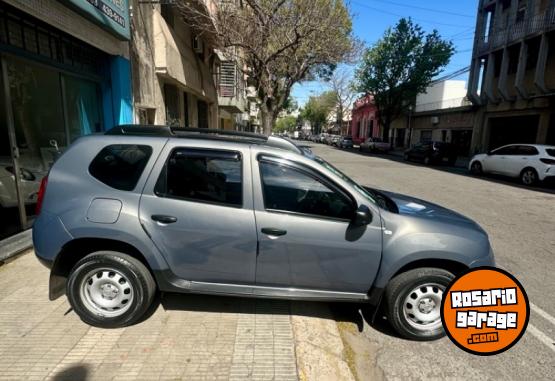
point(529, 162)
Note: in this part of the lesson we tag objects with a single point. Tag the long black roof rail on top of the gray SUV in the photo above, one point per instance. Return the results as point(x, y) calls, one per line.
point(178, 131)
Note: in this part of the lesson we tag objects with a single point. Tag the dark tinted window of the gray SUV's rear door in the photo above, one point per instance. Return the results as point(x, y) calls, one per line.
point(202, 175)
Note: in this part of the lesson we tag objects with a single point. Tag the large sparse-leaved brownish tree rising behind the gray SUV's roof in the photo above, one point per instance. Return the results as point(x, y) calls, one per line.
point(282, 42)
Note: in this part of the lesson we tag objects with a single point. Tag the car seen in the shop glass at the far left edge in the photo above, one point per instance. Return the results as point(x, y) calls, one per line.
point(29, 186)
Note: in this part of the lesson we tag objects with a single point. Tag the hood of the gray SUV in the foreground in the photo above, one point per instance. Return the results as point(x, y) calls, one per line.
point(417, 208)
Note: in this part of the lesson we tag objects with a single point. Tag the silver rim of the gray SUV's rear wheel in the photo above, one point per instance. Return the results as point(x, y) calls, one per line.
point(106, 292)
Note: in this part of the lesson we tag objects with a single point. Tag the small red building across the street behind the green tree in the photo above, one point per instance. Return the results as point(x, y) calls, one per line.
point(364, 123)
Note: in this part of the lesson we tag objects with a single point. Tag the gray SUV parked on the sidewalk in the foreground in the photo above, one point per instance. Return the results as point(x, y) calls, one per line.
point(142, 209)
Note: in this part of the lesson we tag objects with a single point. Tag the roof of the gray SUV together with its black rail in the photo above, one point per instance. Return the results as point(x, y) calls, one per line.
point(238, 137)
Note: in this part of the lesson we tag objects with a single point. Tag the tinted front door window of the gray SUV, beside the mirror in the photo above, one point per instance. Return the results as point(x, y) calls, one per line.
point(292, 190)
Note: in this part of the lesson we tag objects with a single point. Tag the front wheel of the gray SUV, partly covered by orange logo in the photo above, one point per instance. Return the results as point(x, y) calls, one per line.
point(402, 287)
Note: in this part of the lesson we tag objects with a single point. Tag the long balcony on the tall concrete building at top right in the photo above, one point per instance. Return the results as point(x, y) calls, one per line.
point(529, 27)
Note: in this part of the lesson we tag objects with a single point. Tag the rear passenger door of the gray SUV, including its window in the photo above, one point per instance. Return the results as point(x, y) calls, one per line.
point(197, 208)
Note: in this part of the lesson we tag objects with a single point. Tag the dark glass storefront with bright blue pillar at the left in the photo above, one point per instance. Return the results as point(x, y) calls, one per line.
point(65, 72)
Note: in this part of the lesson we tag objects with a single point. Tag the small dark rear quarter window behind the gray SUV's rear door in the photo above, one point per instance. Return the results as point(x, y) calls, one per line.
point(120, 165)
